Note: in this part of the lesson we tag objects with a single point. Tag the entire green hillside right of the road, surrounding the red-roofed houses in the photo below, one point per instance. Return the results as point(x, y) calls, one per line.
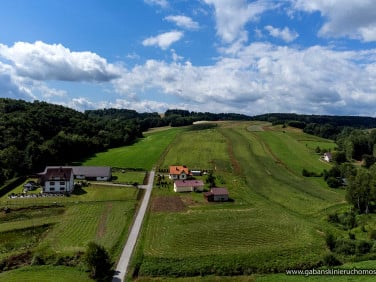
point(274, 222)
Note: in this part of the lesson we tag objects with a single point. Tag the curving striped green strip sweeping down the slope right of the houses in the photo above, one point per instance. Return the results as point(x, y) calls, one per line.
point(273, 179)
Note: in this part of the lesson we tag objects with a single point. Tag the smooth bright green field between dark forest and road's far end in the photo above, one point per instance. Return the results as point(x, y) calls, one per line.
point(143, 154)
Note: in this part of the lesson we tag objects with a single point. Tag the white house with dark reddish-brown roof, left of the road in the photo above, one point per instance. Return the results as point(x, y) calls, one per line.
point(58, 180)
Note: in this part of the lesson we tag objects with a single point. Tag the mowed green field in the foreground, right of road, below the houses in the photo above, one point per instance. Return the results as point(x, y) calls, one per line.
point(244, 231)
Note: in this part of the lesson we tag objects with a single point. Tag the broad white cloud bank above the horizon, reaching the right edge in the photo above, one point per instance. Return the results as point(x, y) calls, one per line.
point(263, 77)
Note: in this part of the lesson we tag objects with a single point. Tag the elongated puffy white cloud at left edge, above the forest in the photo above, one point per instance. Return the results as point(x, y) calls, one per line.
point(41, 61)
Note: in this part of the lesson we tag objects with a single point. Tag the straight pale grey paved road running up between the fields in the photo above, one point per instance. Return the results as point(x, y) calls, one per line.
point(121, 268)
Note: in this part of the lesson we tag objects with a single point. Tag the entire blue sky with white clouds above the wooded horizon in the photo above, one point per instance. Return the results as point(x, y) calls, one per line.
point(242, 56)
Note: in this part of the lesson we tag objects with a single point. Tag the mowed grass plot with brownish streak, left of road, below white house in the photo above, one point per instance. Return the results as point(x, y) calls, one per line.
point(84, 222)
